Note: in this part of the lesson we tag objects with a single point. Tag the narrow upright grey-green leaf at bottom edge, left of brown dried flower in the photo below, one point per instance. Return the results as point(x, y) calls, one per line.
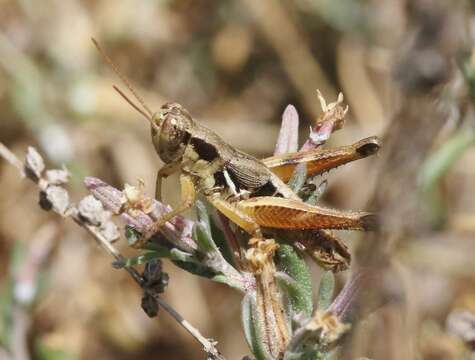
point(252, 329)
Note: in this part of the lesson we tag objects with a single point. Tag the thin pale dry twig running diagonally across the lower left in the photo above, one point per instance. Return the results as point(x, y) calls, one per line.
point(208, 345)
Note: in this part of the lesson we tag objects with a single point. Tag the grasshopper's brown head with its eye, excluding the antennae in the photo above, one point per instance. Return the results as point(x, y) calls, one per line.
point(171, 131)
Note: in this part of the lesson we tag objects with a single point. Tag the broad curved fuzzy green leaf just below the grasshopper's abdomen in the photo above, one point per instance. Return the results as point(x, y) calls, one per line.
point(300, 296)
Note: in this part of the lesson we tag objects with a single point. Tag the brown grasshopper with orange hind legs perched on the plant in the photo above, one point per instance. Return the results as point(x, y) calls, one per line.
point(251, 193)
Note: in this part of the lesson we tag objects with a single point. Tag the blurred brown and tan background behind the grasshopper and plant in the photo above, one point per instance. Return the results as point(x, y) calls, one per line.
point(404, 68)
